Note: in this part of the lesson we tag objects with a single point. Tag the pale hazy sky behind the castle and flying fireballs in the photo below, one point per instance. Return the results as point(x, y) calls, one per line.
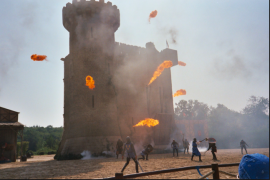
point(225, 44)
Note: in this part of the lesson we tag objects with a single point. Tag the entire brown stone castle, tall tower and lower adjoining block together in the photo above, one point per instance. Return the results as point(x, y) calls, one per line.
point(122, 97)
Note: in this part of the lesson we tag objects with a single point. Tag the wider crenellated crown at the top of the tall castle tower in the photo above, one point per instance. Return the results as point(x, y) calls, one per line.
point(92, 11)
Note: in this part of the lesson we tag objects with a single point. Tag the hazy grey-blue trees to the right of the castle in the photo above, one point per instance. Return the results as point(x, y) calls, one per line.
point(229, 127)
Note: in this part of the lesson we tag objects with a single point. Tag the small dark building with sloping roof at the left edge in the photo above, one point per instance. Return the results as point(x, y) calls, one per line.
point(9, 127)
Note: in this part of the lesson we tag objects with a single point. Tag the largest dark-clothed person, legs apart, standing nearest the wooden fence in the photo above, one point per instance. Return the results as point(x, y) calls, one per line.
point(131, 153)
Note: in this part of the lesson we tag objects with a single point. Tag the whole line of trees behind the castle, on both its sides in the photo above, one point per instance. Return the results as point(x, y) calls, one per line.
point(227, 126)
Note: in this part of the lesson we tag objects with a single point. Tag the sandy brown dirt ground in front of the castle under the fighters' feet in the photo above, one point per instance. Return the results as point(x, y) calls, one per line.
point(45, 167)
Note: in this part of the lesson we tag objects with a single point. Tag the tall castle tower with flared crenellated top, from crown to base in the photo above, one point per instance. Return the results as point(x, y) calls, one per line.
point(90, 116)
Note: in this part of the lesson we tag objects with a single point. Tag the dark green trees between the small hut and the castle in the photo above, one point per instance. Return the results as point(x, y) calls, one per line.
point(41, 140)
